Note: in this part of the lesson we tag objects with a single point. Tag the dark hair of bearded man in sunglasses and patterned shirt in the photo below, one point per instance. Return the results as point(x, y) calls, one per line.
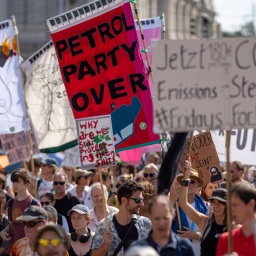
point(127, 189)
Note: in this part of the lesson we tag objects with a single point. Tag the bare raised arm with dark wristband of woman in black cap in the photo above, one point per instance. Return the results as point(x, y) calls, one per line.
point(198, 218)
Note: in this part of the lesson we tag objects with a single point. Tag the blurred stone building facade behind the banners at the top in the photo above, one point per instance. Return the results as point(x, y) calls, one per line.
point(185, 19)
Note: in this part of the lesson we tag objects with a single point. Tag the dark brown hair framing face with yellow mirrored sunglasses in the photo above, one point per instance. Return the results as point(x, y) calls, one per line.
point(59, 230)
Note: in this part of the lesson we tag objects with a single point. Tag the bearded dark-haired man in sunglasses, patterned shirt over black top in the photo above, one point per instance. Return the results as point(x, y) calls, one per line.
point(125, 226)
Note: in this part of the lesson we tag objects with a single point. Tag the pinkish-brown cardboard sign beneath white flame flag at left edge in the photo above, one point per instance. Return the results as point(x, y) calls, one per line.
point(17, 146)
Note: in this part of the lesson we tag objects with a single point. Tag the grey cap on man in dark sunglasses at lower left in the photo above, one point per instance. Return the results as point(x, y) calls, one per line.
point(33, 212)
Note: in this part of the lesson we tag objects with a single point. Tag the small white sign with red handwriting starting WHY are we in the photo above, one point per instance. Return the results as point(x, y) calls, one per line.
point(96, 142)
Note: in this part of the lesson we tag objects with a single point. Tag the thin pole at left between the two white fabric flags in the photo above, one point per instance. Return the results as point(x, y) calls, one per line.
point(28, 123)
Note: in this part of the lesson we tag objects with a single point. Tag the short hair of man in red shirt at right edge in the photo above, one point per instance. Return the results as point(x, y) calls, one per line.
point(245, 191)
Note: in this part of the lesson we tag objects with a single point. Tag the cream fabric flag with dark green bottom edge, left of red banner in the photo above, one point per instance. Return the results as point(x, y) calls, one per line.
point(47, 101)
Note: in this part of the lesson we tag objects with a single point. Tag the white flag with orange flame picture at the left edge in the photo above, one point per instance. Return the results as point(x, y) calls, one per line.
point(12, 103)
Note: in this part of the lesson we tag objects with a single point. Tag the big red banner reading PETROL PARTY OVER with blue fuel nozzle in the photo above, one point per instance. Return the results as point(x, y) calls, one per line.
point(103, 71)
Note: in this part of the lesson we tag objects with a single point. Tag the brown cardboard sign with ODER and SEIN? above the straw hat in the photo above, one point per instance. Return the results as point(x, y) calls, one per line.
point(204, 157)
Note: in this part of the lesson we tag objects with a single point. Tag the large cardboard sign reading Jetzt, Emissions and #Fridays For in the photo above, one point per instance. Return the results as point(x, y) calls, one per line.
point(204, 84)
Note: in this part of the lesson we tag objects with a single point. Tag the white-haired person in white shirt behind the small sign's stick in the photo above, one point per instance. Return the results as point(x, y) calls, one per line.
point(97, 213)
